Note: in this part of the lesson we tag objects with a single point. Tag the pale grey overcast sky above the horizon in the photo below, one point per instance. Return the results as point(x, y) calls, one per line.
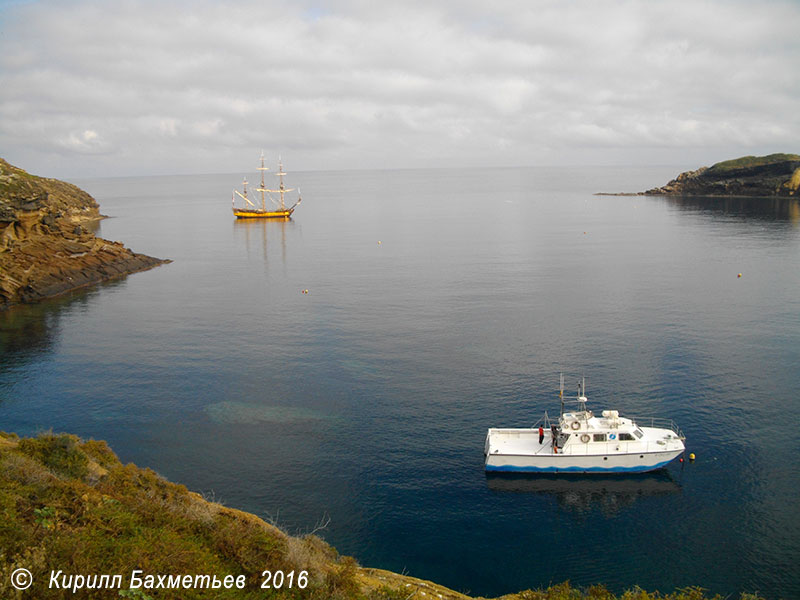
point(151, 87)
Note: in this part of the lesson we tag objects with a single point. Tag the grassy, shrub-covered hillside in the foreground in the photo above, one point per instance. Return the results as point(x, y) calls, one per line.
point(69, 505)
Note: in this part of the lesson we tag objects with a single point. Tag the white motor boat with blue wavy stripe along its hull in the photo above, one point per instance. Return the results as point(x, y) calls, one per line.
point(580, 442)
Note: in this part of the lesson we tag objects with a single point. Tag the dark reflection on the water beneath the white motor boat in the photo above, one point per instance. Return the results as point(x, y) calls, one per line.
point(584, 493)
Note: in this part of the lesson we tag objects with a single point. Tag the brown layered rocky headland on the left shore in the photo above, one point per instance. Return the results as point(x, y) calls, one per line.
point(46, 245)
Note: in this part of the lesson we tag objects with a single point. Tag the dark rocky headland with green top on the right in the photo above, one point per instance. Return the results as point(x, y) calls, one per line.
point(773, 175)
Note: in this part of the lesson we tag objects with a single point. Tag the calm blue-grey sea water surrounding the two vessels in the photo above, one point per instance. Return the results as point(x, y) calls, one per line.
point(440, 303)
